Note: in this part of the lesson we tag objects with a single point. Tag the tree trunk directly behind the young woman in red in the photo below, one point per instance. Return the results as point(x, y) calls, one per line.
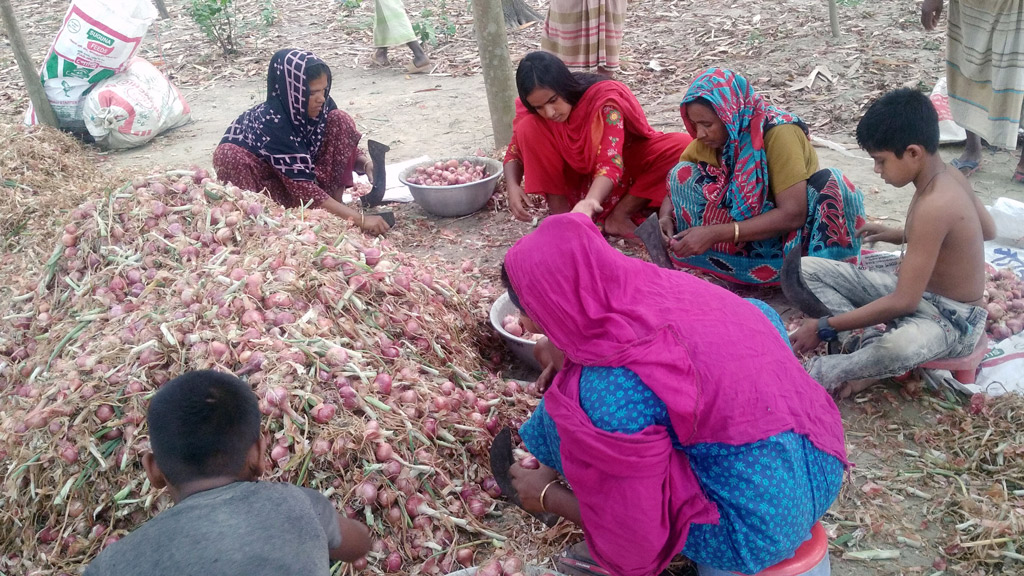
point(497, 65)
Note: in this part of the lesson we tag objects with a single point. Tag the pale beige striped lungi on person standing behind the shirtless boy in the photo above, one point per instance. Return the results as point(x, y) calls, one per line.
point(986, 68)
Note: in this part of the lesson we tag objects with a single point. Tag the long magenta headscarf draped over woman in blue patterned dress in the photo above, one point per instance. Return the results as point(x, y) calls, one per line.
point(713, 358)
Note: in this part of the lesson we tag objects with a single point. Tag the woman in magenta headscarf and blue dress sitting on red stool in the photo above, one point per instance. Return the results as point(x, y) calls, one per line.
point(677, 413)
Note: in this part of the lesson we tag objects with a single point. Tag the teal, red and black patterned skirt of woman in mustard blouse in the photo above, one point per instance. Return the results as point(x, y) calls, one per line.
point(835, 212)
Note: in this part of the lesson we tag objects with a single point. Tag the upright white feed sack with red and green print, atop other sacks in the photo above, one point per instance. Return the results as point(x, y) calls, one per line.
point(96, 42)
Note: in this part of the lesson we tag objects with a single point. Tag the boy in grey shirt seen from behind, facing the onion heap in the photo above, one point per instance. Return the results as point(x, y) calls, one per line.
point(208, 451)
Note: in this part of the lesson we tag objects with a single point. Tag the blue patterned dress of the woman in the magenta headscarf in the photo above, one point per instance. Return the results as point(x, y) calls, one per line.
point(770, 493)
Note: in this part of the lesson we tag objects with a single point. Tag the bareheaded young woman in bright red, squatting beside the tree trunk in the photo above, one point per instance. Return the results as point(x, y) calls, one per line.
point(584, 143)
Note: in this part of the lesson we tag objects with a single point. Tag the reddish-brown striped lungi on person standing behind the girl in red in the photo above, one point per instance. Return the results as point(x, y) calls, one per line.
point(585, 35)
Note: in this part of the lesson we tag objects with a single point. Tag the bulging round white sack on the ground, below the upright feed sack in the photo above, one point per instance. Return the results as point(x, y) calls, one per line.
point(130, 109)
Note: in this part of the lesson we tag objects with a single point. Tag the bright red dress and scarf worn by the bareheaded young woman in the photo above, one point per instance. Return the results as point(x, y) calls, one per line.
point(607, 135)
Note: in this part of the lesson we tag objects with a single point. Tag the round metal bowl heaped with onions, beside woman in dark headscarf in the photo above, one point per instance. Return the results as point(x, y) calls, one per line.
point(457, 200)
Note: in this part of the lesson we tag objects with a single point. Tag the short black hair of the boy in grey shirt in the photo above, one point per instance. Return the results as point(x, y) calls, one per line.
point(203, 425)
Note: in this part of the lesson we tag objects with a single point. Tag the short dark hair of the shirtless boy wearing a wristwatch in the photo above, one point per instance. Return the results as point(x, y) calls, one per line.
point(898, 120)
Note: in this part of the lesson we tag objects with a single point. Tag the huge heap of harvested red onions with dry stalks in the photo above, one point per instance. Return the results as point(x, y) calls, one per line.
point(365, 360)
